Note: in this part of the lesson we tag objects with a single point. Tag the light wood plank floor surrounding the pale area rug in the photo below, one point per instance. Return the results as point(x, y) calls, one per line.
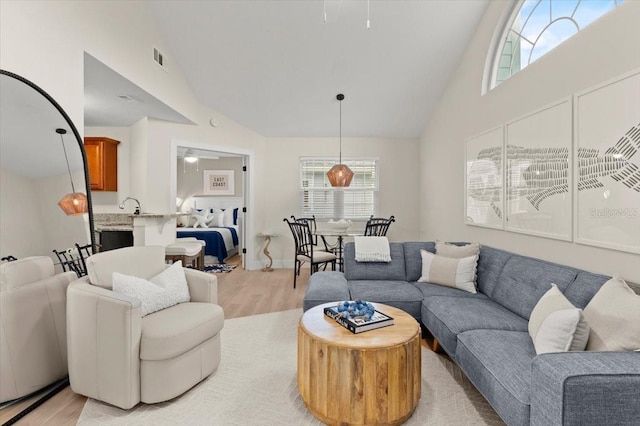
point(240, 293)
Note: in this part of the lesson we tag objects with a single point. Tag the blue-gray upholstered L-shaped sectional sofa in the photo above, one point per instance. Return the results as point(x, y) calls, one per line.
point(486, 333)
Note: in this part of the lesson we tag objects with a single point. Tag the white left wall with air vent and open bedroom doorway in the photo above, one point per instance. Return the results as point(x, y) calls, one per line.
point(45, 41)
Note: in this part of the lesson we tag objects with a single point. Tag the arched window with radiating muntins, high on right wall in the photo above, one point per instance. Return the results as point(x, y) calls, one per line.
point(535, 27)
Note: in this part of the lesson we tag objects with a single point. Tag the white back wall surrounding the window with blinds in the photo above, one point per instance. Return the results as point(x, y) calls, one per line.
point(399, 182)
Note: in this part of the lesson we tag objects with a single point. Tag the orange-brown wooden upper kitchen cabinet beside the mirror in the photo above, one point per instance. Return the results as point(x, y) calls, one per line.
point(102, 158)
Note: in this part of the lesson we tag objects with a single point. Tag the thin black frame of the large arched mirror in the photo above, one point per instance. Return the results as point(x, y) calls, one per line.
point(47, 392)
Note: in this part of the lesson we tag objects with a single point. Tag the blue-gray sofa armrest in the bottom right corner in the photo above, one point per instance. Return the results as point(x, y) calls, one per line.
point(585, 388)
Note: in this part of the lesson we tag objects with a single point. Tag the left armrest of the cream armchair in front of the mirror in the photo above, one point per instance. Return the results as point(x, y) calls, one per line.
point(103, 340)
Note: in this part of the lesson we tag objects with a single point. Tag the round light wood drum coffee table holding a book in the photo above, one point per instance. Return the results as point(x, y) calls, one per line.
point(359, 379)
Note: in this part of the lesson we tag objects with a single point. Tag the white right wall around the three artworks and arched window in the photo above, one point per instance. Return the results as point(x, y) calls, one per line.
point(607, 48)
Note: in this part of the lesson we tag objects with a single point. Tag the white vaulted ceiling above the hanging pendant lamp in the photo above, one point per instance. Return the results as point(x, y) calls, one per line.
point(276, 68)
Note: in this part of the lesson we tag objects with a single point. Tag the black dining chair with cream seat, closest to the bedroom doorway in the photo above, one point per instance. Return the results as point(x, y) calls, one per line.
point(305, 252)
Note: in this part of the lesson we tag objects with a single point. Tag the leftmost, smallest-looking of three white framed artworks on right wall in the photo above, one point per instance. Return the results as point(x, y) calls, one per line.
point(483, 193)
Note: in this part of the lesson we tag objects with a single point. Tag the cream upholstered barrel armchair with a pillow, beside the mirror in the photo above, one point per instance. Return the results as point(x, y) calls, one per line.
point(118, 356)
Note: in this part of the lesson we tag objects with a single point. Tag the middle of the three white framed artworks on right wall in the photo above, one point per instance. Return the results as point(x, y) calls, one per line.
point(538, 172)
